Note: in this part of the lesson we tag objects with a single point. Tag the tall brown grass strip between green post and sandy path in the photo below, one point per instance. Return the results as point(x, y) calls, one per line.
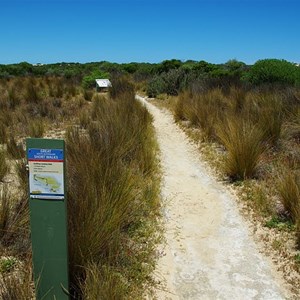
point(112, 196)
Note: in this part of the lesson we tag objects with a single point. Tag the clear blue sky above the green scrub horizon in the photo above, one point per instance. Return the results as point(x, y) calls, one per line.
point(49, 31)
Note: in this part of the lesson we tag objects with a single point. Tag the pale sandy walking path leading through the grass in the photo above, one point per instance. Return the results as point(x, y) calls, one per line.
point(209, 253)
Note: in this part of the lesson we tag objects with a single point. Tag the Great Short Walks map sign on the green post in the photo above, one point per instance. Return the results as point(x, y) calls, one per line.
point(46, 173)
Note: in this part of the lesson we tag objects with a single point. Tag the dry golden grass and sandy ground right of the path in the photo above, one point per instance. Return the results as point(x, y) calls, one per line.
point(257, 134)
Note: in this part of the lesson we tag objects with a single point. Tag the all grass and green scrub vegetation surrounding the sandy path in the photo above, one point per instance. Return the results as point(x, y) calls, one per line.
point(246, 119)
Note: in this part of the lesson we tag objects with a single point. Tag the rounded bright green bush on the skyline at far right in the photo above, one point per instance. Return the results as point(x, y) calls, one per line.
point(273, 71)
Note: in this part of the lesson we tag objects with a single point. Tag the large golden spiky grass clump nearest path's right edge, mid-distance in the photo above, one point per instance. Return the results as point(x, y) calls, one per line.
point(244, 144)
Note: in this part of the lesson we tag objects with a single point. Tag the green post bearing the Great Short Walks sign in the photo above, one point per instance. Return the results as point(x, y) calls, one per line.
point(48, 217)
